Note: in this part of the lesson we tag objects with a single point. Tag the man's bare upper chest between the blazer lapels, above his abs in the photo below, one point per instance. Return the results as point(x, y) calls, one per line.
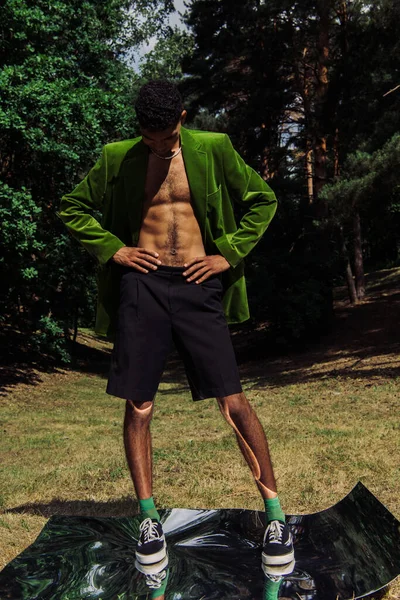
point(166, 181)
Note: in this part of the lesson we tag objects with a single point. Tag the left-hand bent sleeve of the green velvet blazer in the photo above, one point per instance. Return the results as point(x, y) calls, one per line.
point(76, 211)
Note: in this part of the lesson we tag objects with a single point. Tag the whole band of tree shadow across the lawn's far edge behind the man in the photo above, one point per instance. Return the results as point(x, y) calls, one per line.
point(359, 335)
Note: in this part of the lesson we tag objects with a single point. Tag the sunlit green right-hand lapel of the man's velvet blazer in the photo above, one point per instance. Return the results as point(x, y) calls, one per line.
point(195, 159)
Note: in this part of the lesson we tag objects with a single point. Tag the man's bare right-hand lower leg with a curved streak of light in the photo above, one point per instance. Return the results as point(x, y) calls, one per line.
point(251, 439)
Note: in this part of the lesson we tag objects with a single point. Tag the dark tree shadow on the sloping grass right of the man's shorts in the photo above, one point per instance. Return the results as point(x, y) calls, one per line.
point(363, 344)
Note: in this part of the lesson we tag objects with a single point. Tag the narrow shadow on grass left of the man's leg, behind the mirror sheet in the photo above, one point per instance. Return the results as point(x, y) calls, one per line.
point(124, 507)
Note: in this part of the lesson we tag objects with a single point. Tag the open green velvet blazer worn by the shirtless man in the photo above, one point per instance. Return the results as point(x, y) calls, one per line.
point(217, 176)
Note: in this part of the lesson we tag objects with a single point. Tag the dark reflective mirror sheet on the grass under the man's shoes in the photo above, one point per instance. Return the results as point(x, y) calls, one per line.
point(344, 552)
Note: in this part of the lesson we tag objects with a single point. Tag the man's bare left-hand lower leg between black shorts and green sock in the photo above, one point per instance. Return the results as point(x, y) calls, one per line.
point(137, 440)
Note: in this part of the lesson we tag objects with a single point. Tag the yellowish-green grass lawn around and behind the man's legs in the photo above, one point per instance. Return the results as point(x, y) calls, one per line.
point(331, 414)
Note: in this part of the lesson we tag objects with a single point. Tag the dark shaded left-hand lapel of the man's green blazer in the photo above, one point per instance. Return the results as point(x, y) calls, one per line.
point(133, 171)
